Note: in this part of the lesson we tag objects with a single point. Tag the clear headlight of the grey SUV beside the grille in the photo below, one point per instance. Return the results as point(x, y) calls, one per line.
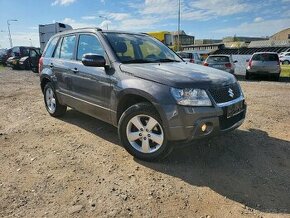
point(191, 97)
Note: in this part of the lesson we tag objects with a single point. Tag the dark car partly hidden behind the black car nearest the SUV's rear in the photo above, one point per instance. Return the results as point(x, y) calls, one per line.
point(18, 52)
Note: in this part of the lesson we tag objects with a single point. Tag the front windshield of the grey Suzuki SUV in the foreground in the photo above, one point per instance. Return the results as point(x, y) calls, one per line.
point(133, 48)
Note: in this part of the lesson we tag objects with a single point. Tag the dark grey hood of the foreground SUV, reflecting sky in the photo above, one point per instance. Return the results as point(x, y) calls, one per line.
point(180, 75)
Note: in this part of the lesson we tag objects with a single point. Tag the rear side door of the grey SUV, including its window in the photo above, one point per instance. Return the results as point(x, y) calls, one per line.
point(62, 63)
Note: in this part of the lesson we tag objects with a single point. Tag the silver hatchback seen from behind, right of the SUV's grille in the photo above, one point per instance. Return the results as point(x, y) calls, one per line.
point(264, 63)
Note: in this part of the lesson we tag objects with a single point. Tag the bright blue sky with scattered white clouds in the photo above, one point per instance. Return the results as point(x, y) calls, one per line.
point(201, 18)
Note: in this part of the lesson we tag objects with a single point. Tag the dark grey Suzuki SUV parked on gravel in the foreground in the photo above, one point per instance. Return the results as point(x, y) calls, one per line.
point(139, 85)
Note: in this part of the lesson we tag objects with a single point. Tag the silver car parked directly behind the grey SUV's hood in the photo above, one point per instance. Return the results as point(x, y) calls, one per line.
point(221, 62)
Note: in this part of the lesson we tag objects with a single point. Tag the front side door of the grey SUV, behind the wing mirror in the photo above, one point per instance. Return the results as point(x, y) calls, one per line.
point(92, 85)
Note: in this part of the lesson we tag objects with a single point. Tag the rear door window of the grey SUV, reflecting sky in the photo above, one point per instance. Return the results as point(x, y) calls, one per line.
point(67, 47)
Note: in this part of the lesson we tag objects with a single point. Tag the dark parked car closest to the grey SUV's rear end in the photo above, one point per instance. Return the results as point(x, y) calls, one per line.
point(30, 62)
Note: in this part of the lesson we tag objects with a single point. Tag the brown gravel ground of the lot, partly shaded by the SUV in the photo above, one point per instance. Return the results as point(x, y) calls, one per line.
point(75, 166)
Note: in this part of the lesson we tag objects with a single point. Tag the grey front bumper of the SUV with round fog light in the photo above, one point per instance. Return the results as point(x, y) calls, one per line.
point(184, 124)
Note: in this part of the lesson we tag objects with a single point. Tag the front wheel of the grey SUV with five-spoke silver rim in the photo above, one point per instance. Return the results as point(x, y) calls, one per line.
point(142, 144)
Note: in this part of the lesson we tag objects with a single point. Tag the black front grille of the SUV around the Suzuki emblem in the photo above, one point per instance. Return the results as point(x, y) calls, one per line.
point(221, 95)
